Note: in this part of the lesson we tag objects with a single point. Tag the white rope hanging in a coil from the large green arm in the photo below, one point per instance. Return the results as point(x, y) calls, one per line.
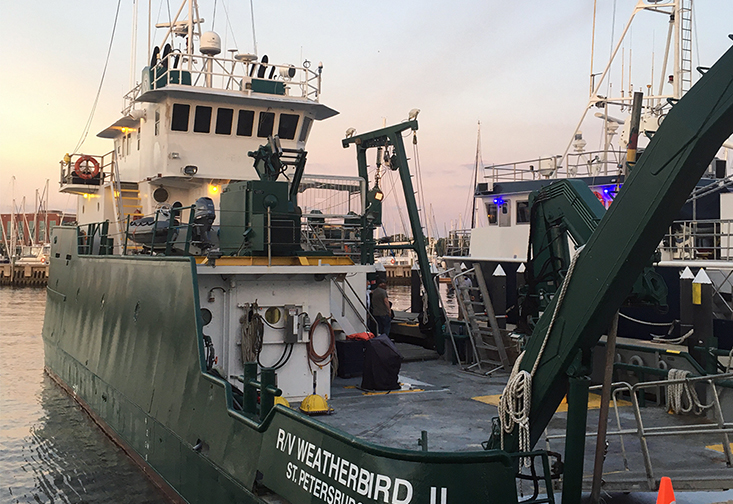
point(516, 400)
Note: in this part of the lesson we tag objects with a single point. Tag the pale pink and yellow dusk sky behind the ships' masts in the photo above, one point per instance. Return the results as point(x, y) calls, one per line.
point(520, 68)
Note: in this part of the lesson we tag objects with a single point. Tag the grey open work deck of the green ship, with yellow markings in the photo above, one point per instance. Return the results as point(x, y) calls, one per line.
point(456, 409)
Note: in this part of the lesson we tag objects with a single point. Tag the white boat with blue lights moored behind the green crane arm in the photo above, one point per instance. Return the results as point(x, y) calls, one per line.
point(702, 234)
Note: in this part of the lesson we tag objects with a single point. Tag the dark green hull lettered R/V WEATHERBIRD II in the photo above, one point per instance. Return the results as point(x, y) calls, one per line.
point(123, 335)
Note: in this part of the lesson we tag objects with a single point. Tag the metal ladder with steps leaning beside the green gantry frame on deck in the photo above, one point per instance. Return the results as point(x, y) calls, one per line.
point(478, 312)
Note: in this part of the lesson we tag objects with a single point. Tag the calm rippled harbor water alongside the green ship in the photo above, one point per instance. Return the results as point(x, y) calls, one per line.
point(51, 451)
